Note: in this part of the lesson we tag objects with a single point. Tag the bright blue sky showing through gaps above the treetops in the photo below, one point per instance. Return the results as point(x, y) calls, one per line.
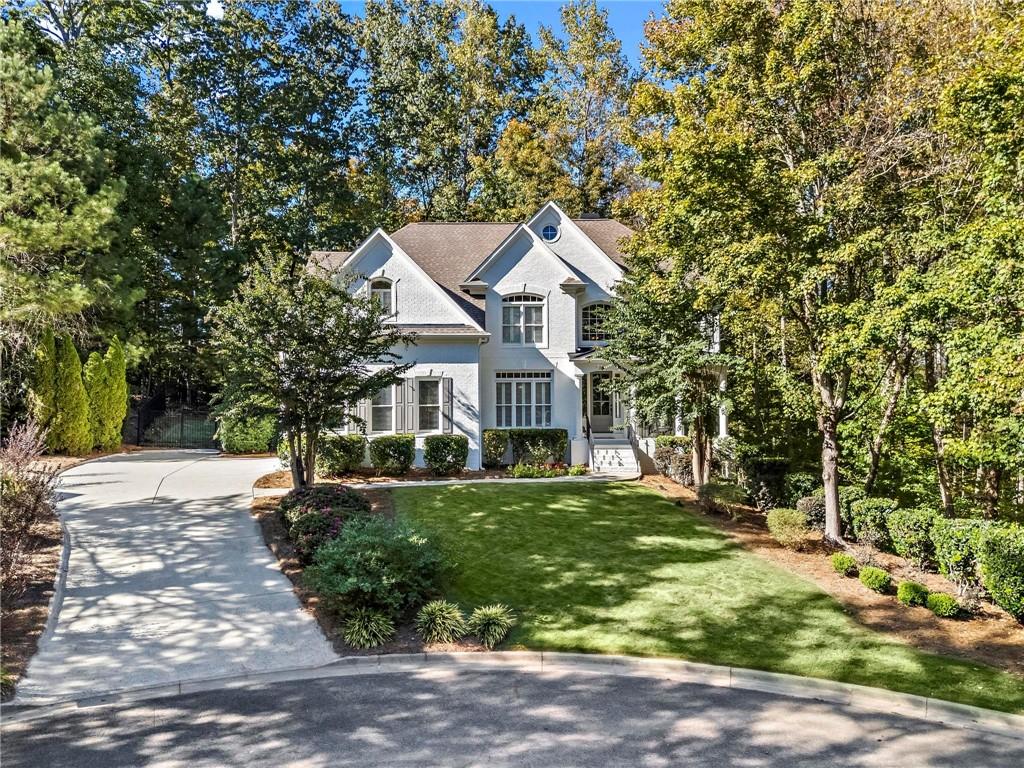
point(626, 17)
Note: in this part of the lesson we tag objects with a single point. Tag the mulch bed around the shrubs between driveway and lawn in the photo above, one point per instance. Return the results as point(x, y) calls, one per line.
point(272, 523)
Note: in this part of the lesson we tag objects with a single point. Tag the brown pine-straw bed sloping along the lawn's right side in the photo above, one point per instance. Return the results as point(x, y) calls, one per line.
point(991, 636)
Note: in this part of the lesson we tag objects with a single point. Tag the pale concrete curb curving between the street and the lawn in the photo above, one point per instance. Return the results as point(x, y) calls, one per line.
point(858, 697)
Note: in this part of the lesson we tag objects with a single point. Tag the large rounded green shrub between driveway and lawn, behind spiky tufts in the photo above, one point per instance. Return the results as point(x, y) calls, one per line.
point(376, 564)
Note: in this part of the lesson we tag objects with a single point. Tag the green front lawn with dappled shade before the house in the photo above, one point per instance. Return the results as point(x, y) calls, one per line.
point(616, 569)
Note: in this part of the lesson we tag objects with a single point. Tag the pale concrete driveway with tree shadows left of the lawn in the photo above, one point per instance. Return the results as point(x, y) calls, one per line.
point(168, 580)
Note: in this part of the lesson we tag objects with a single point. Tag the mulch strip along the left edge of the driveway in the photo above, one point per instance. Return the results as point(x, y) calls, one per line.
point(25, 619)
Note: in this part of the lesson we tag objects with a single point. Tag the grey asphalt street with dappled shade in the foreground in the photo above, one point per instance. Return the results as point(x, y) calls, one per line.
point(495, 718)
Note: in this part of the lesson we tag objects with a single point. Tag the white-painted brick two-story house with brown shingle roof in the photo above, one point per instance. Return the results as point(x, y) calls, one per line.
point(507, 322)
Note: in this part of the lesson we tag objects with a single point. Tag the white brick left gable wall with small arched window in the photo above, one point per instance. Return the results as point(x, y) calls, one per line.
point(416, 298)
